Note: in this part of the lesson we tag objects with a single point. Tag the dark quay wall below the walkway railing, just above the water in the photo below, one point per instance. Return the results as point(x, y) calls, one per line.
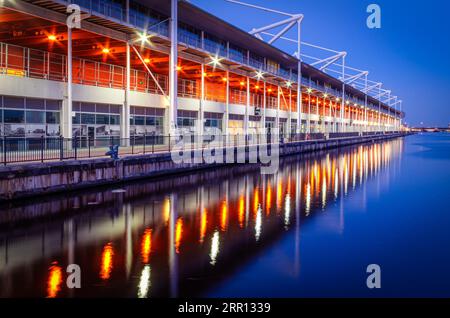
point(51, 177)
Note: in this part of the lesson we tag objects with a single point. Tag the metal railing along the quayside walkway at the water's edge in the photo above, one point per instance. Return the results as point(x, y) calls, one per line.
point(23, 149)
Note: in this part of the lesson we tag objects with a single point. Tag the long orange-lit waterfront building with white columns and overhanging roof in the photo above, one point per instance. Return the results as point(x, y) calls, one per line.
point(117, 75)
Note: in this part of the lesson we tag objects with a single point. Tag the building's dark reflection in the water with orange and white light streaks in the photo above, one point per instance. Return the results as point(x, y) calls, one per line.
point(146, 225)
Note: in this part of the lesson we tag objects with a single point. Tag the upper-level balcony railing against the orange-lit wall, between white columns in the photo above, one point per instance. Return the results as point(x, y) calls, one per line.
point(26, 62)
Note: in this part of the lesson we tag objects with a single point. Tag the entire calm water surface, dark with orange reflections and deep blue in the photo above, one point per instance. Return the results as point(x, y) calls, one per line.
point(308, 231)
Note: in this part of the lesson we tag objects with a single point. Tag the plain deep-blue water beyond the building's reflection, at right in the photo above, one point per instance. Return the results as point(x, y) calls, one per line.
point(400, 221)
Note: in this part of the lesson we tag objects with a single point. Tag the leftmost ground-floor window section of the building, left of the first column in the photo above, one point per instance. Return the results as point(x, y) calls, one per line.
point(29, 117)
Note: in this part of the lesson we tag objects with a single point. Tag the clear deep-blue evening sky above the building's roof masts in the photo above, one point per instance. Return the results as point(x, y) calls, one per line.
point(410, 54)
